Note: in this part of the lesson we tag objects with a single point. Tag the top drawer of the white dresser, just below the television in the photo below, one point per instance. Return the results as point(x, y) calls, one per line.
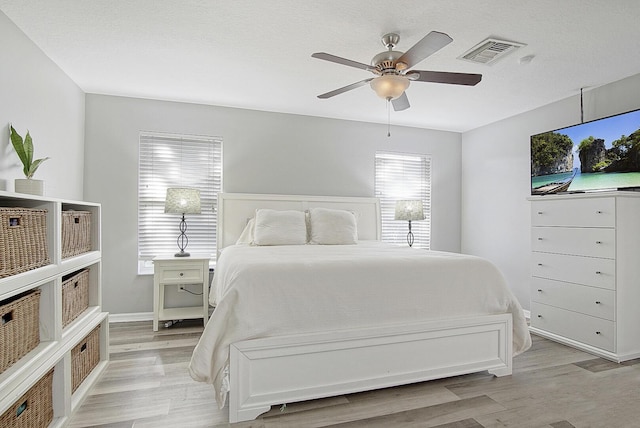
point(593, 212)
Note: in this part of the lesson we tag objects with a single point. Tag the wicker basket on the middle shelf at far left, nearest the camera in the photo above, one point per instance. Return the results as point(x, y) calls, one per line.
point(19, 331)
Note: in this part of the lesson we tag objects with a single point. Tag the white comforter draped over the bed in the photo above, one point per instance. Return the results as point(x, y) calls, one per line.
point(270, 291)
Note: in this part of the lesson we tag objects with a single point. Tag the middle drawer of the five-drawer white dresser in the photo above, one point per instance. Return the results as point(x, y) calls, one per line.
point(577, 269)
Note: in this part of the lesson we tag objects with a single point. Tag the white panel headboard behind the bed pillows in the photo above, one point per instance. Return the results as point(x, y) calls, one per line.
point(235, 209)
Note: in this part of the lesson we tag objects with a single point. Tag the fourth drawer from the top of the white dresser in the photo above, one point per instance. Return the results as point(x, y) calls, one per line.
point(597, 302)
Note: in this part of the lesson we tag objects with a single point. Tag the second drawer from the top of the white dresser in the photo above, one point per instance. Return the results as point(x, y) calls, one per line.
point(579, 241)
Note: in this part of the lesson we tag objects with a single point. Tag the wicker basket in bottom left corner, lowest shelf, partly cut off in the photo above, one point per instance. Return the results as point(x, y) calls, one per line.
point(34, 409)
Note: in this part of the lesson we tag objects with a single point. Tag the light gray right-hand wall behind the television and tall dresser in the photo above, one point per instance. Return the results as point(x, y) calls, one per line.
point(496, 177)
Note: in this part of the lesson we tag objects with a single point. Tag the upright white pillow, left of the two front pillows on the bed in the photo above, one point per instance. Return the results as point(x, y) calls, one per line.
point(274, 227)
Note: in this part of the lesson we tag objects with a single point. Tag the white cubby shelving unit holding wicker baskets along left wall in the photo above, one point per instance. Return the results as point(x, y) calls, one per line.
point(56, 342)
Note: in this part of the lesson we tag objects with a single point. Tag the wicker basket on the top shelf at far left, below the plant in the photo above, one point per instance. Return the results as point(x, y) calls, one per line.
point(23, 240)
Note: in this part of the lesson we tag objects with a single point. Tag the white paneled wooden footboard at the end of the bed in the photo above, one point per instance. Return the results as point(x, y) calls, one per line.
point(285, 369)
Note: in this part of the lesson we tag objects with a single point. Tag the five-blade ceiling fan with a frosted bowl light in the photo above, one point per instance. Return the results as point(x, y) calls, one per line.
point(392, 69)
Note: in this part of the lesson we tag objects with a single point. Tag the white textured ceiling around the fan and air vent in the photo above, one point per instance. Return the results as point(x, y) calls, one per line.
point(256, 54)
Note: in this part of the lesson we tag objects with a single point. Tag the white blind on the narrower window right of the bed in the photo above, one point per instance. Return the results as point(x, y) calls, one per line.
point(401, 176)
